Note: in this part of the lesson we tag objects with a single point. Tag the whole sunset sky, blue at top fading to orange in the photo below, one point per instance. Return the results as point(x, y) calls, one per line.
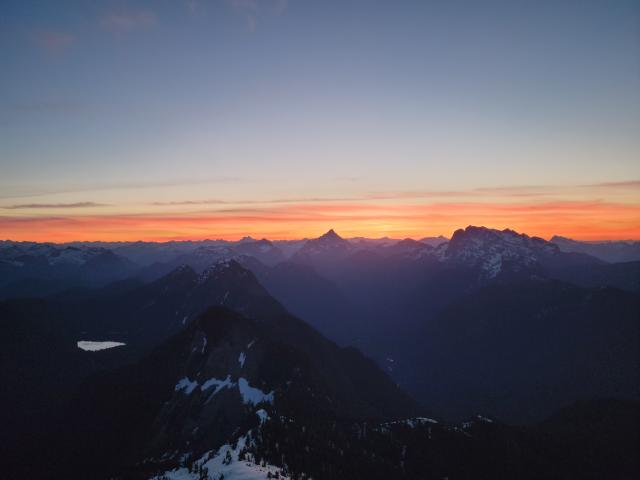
point(193, 119)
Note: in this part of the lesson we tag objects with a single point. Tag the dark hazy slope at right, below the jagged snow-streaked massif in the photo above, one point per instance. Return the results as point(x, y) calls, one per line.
point(518, 351)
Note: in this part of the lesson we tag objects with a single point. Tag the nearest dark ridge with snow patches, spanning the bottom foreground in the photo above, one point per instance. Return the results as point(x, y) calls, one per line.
point(227, 398)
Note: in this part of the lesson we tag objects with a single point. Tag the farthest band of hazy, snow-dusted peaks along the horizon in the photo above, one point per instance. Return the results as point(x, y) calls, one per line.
point(25, 260)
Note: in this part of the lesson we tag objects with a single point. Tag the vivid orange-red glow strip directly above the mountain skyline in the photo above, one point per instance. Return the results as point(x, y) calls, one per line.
point(581, 220)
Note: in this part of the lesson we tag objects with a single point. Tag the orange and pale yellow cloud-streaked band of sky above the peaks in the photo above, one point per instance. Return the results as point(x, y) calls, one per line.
point(541, 211)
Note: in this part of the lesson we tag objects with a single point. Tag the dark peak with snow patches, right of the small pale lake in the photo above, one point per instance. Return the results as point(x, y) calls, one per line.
point(207, 383)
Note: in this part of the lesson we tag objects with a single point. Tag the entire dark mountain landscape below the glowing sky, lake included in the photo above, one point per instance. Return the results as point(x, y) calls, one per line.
point(489, 355)
